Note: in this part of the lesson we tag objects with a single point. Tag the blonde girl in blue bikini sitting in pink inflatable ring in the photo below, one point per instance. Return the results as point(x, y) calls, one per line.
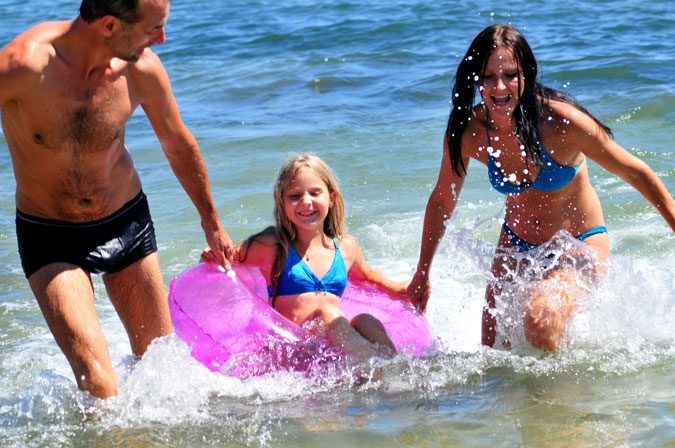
point(306, 258)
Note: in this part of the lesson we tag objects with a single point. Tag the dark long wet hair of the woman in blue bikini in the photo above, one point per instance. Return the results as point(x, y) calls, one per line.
point(530, 110)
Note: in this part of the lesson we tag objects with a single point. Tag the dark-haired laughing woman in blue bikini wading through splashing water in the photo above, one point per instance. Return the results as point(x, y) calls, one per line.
point(535, 141)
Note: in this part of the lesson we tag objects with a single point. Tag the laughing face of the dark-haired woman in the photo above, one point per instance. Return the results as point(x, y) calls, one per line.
point(500, 83)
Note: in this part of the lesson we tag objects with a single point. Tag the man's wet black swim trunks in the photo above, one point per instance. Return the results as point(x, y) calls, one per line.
point(106, 245)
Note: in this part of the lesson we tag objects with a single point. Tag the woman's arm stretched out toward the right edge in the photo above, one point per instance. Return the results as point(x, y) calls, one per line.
point(599, 147)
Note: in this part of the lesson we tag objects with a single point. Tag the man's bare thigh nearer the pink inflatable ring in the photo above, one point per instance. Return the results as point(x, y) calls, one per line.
point(139, 296)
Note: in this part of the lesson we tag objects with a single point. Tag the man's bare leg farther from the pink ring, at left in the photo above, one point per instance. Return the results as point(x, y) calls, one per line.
point(66, 298)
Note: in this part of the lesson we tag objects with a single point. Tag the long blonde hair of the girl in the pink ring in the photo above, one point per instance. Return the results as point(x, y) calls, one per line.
point(284, 230)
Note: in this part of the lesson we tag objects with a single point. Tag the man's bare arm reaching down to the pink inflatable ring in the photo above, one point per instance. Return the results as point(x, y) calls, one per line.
point(182, 151)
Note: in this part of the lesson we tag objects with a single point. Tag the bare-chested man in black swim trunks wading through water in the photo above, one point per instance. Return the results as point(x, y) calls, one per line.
point(67, 90)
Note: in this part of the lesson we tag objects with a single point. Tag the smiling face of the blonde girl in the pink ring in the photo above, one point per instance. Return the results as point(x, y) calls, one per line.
point(307, 200)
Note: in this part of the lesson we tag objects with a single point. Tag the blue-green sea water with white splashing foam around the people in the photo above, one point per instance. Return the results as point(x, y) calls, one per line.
point(366, 85)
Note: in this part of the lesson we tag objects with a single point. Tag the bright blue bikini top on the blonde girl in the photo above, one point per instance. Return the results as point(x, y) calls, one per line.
point(297, 277)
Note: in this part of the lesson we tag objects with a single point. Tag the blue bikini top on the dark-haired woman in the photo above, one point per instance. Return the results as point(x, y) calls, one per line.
point(552, 176)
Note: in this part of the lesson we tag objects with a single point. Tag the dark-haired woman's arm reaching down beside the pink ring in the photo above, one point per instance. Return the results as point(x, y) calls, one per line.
point(440, 207)
